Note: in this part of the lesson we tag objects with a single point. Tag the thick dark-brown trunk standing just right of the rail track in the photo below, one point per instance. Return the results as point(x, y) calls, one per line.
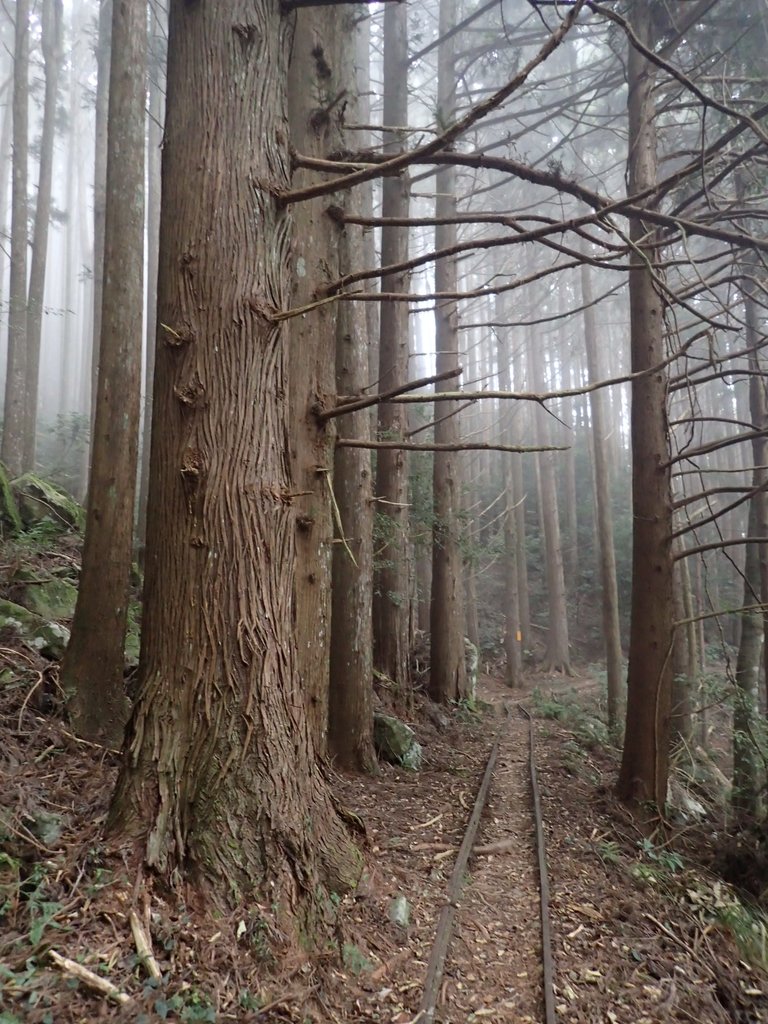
point(646, 758)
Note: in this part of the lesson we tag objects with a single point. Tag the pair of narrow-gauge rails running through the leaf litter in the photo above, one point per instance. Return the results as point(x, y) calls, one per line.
point(459, 890)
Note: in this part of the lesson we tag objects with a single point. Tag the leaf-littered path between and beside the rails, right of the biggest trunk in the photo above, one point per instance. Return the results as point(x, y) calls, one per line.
point(631, 945)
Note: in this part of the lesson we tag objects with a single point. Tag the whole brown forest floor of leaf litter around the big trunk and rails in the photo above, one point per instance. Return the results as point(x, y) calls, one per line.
point(642, 930)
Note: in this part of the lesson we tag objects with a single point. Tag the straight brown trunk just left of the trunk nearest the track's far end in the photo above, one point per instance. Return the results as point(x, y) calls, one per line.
point(392, 587)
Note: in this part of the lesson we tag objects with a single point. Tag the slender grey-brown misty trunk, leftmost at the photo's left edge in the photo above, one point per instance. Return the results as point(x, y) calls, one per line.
point(16, 376)
